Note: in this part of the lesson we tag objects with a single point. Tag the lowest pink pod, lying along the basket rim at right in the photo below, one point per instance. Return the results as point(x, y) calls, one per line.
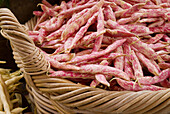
point(132, 86)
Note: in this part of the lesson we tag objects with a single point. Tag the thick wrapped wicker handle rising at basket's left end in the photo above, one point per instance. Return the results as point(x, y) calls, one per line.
point(27, 56)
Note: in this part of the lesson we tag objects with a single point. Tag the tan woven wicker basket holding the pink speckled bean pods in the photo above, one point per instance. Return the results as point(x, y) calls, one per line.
point(56, 95)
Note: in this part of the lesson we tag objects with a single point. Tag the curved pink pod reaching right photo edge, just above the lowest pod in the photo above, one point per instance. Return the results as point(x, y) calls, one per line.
point(149, 80)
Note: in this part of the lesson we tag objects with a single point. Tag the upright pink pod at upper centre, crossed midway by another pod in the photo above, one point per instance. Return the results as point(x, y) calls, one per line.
point(100, 27)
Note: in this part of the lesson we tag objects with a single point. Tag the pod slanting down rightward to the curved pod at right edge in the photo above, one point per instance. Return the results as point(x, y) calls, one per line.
point(147, 63)
